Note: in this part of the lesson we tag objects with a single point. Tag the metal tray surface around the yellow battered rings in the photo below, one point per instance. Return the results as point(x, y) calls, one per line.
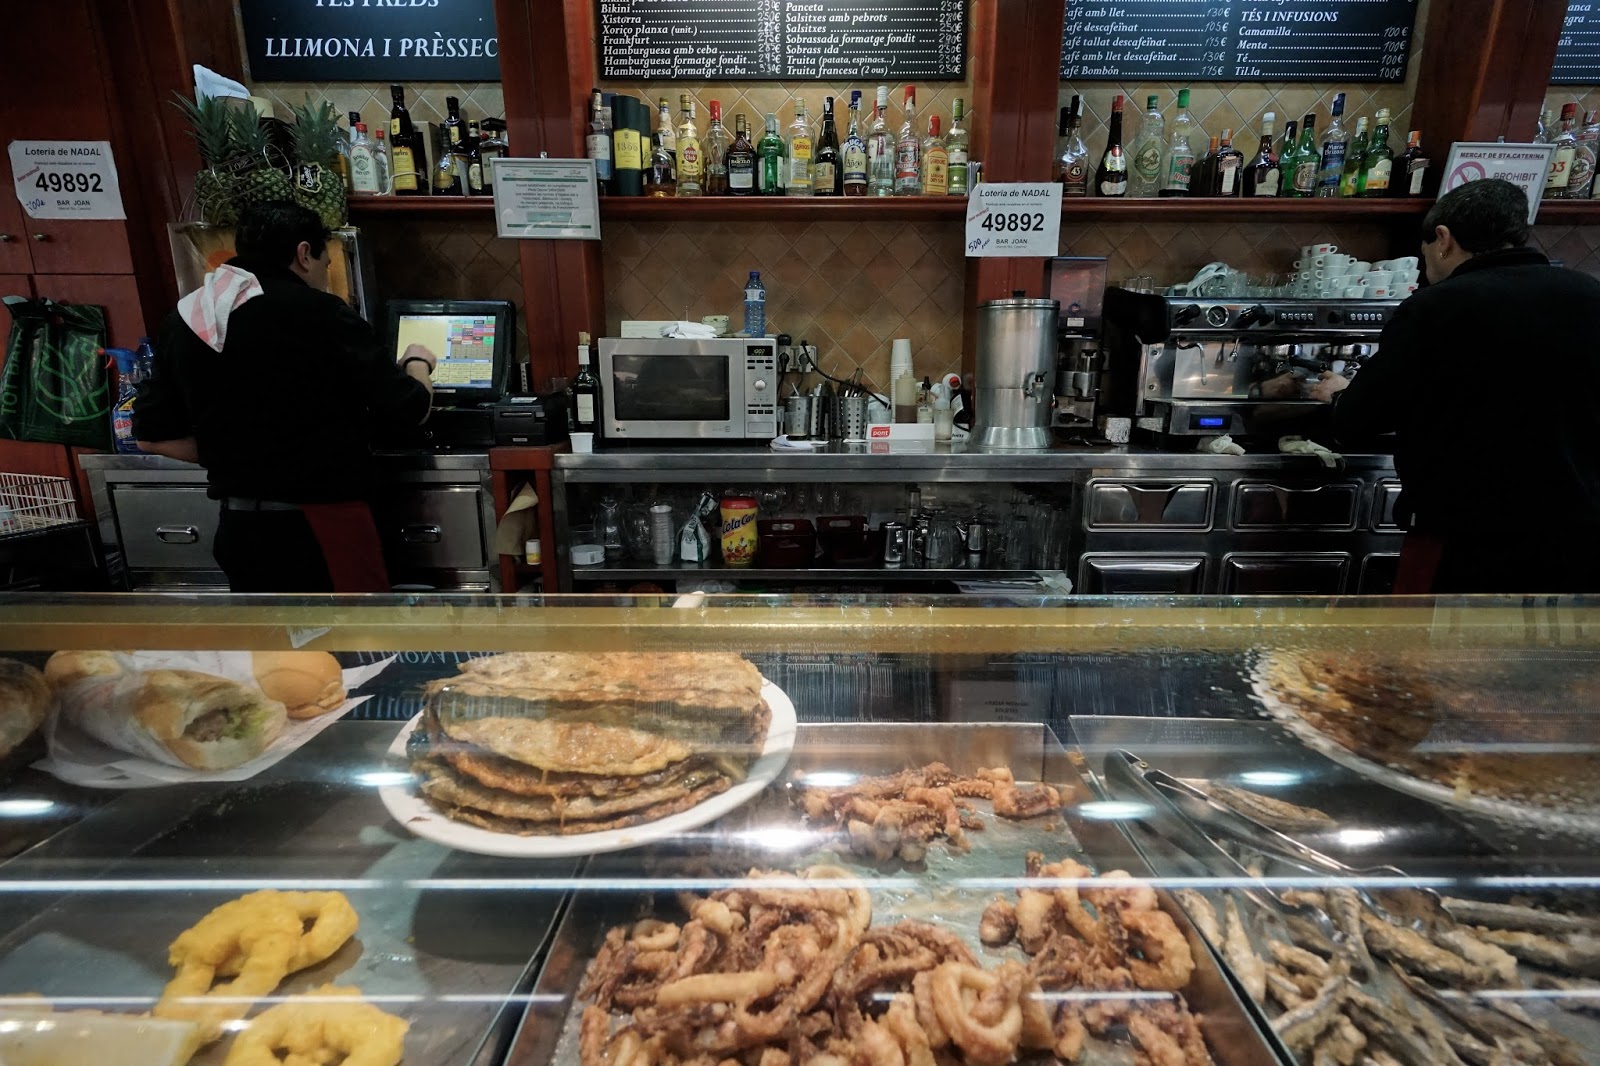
point(447, 940)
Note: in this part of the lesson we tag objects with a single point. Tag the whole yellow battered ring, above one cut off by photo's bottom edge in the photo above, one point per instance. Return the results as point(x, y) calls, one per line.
point(262, 936)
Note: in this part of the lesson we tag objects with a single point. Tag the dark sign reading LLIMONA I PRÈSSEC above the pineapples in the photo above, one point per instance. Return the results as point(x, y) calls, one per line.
point(372, 41)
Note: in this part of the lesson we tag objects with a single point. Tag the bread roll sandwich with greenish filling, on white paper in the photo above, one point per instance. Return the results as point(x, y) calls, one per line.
point(180, 718)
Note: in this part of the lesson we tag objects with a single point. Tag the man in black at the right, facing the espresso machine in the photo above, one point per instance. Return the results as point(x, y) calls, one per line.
point(1489, 379)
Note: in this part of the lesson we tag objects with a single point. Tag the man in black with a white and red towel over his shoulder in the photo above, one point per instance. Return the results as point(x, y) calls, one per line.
point(276, 388)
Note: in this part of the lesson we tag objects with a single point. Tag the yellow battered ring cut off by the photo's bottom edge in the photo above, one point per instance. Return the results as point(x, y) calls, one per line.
point(321, 1028)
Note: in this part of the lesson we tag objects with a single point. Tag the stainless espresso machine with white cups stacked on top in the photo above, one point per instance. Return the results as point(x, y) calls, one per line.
point(1194, 367)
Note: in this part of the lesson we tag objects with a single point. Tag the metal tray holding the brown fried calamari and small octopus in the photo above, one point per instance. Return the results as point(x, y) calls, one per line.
point(948, 889)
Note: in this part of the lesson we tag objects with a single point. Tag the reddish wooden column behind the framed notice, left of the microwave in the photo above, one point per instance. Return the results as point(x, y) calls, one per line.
point(546, 68)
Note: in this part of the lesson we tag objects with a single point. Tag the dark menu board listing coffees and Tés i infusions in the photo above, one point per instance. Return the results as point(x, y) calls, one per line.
point(1238, 41)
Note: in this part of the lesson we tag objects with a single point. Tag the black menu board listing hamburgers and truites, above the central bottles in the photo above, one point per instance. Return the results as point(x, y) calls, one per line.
point(804, 41)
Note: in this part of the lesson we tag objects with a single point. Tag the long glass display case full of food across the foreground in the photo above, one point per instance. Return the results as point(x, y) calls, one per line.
point(799, 830)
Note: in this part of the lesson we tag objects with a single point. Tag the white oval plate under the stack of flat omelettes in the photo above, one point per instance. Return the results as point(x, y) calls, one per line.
point(425, 820)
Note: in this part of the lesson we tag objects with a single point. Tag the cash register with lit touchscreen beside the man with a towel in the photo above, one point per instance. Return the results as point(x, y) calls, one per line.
point(474, 403)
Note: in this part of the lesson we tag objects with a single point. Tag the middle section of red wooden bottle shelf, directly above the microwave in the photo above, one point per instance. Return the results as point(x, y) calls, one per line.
point(785, 209)
